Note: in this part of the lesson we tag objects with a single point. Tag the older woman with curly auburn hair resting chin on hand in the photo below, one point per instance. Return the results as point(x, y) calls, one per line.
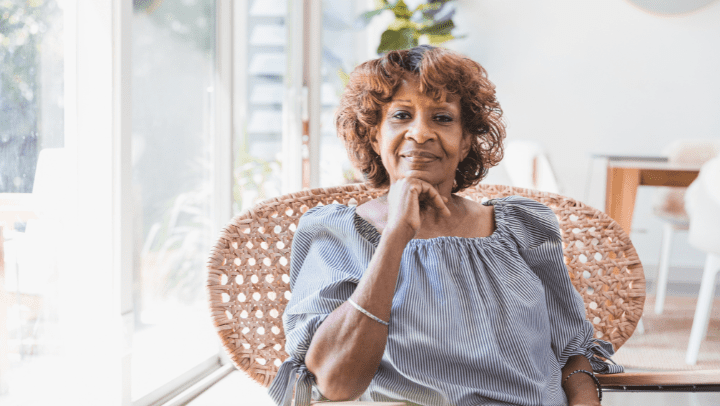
point(420, 295)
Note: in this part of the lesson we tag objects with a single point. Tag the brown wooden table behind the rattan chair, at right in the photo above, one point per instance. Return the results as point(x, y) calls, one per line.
point(625, 174)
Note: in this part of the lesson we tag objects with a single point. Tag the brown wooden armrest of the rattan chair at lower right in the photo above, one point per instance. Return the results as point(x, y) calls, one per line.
point(679, 381)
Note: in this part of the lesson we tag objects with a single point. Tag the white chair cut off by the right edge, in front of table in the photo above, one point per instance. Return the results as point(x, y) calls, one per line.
point(702, 202)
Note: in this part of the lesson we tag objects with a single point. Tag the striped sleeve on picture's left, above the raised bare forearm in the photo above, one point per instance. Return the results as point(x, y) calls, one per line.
point(324, 272)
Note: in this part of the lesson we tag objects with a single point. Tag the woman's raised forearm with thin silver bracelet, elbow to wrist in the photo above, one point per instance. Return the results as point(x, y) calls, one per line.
point(347, 348)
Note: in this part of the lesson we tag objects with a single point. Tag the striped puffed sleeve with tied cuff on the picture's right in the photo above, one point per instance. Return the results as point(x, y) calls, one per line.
point(536, 231)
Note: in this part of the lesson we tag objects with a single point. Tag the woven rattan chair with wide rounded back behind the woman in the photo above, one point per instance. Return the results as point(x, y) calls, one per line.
point(248, 278)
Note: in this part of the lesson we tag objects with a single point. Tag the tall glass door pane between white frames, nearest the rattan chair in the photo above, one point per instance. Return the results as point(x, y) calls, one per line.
point(173, 181)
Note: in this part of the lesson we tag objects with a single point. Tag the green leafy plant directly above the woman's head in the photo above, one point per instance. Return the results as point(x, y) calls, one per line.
point(431, 19)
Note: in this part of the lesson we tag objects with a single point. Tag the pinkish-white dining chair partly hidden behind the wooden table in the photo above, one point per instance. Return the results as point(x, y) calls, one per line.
point(668, 204)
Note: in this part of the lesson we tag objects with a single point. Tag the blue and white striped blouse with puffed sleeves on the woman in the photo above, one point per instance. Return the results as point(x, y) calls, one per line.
point(474, 321)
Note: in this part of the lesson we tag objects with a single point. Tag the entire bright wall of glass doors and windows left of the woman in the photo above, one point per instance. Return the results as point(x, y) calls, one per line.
point(141, 177)
